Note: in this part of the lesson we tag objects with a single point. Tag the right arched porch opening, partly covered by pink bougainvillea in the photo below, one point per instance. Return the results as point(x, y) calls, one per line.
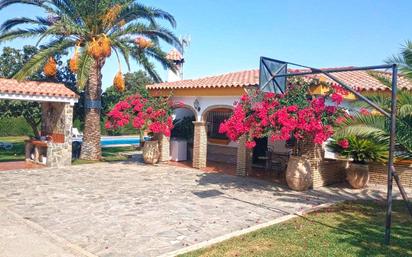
point(221, 151)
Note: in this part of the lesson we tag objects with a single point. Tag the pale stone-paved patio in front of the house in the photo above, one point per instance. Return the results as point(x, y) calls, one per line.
point(140, 210)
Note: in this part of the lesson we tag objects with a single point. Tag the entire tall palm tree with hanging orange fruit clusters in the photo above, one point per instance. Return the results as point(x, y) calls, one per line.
point(92, 28)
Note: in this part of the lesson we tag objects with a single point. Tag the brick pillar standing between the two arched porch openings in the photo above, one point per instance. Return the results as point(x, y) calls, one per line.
point(199, 145)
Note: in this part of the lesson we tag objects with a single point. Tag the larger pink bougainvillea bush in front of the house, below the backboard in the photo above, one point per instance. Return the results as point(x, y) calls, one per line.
point(296, 114)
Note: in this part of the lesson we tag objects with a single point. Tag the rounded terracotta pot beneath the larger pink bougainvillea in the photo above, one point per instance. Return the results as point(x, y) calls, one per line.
point(298, 173)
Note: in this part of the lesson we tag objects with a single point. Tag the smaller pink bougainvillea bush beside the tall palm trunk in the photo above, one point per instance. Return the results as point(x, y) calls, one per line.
point(153, 114)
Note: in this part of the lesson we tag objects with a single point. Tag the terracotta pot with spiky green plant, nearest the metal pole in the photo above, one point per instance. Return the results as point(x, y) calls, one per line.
point(359, 151)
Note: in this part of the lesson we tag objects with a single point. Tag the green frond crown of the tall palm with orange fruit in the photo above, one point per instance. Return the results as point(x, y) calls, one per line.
point(78, 24)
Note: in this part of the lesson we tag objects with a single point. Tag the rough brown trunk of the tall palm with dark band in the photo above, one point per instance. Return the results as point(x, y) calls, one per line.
point(91, 149)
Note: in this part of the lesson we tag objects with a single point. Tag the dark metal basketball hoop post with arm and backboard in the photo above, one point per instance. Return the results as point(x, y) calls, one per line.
point(392, 174)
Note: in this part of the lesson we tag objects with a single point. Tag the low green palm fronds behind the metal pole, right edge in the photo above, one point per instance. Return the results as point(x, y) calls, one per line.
point(377, 127)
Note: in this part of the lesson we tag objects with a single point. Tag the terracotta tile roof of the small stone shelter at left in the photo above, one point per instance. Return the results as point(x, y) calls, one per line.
point(12, 86)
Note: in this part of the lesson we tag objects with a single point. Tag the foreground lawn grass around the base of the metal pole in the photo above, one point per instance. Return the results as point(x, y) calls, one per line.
point(346, 229)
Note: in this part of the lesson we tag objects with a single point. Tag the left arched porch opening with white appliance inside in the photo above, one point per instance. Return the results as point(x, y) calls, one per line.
point(181, 142)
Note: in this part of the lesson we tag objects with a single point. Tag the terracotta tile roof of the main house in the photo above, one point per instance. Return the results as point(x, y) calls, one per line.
point(360, 80)
